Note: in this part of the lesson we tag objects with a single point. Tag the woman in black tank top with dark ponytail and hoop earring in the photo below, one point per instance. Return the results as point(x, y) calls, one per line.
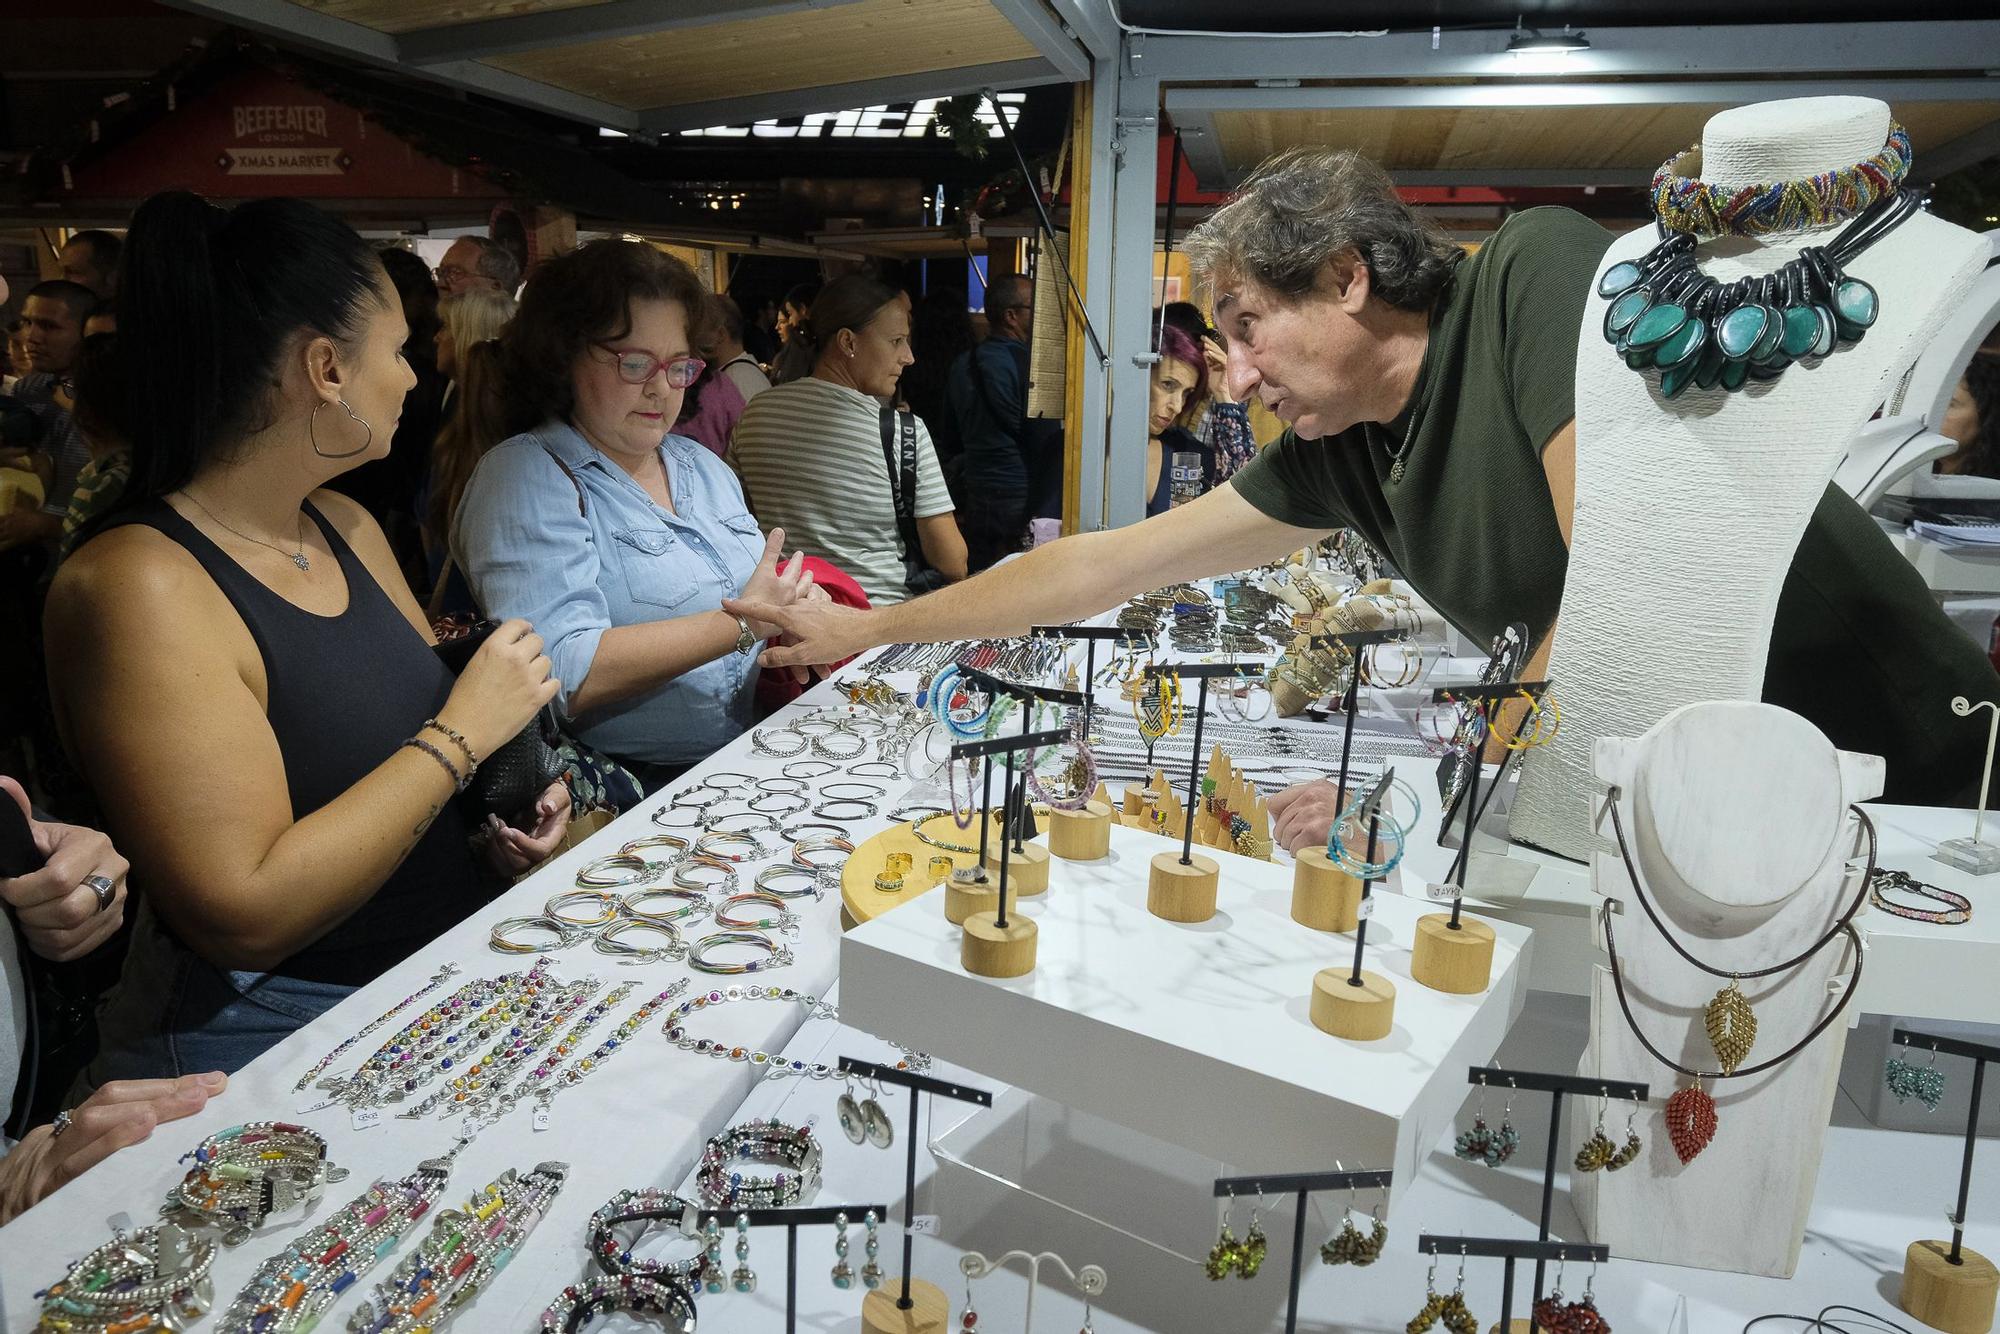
point(239, 665)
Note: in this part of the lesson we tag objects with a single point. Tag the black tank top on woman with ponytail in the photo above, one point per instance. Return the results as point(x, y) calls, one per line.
point(345, 693)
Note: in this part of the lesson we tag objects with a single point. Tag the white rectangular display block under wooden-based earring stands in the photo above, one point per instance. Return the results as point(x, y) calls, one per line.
point(1193, 1035)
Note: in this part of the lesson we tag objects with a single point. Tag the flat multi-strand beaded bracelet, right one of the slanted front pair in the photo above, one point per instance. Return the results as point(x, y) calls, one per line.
point(461, 1253)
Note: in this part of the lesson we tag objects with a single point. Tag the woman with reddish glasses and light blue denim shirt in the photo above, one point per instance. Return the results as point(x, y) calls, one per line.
point(617, 537)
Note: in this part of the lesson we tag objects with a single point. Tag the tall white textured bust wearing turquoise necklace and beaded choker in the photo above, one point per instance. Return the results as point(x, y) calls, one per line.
point(1689, 511)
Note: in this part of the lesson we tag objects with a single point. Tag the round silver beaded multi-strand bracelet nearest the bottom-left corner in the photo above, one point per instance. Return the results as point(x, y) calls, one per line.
point(155, 1279)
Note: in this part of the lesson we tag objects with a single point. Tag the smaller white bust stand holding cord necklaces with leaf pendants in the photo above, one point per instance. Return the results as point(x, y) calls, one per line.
point(1737, 819)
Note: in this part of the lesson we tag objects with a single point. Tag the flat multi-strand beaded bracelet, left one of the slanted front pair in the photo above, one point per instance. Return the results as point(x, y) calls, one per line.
point(297, 1285)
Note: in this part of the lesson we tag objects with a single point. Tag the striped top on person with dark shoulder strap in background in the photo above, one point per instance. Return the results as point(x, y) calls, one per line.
point(811, 459)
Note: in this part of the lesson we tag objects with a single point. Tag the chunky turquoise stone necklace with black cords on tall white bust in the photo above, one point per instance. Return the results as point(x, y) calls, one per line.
point(1667, 315)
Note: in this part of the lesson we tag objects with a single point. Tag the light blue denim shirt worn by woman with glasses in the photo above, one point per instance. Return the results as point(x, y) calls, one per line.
point(621, 563)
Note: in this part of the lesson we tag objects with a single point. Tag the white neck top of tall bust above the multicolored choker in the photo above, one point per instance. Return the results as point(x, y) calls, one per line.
point(1791, 139)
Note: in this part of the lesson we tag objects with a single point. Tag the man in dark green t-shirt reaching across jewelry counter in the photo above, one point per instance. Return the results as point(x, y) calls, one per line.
point(1431, 405)
